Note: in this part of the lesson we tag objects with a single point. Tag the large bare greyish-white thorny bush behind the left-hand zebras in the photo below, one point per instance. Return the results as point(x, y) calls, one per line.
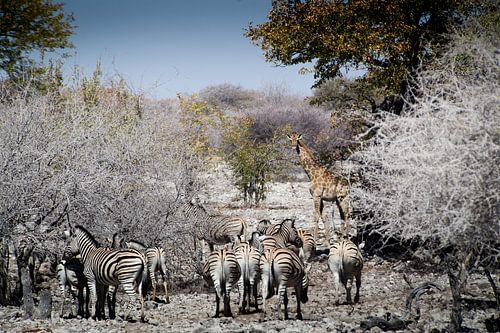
point(108, 168)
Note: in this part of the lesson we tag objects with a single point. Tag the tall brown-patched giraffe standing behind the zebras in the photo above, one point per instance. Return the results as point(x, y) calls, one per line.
point(324, 186)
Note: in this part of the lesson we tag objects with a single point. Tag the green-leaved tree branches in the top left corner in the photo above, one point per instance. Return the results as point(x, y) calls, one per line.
point(31, 25)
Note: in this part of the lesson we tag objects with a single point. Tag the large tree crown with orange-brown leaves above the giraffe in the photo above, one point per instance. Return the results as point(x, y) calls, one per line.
point(387, 38)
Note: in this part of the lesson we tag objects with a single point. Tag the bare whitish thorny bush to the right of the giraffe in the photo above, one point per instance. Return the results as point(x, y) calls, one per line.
point(432, 174)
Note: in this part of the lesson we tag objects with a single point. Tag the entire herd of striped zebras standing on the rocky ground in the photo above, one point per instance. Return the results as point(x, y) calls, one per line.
point(276, 256)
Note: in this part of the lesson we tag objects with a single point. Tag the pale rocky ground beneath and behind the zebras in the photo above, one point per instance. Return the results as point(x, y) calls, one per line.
point(383, 291)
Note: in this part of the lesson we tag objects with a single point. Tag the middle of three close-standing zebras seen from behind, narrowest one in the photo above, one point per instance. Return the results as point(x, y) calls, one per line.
point(249, 260)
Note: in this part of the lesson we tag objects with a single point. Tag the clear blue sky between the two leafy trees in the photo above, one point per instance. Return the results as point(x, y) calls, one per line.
point(165, 47)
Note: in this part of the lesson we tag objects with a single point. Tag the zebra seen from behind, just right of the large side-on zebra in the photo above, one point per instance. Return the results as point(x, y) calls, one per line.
point(156, 259)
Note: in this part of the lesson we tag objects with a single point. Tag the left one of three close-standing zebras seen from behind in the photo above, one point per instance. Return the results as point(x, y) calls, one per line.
point(222, 271)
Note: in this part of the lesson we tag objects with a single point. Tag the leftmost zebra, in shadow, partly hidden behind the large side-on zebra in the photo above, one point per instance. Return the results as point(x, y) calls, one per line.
point(70, 275)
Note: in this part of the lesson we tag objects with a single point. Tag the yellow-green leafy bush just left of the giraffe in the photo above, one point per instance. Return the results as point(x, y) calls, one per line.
point(253, 163)
